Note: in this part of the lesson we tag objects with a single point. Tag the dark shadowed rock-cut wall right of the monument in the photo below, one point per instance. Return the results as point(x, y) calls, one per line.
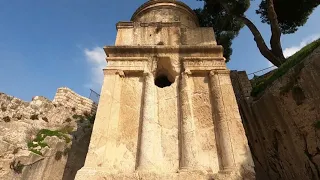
point(283, 124)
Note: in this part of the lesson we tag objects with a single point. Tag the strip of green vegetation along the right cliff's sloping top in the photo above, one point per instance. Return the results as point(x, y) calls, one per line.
point(261, 84)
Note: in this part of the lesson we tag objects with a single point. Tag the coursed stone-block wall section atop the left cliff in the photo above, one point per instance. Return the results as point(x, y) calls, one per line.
point(71, 99)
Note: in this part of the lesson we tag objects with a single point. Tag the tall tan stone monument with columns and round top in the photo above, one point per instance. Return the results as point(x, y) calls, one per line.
point(167, 108)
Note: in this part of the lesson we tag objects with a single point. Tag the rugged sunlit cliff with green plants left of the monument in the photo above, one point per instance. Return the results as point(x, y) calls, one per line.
point(44, 140)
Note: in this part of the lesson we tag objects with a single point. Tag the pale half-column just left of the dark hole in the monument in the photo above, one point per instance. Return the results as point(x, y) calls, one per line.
point(150, 137)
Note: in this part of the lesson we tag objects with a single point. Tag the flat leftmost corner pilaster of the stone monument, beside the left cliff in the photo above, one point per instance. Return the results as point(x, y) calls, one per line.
point(105, 130)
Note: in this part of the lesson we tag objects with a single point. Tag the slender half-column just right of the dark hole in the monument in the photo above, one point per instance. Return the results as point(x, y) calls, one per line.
point(189, 151)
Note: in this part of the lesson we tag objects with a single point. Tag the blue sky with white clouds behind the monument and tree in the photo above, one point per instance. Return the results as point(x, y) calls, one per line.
point(49, 44)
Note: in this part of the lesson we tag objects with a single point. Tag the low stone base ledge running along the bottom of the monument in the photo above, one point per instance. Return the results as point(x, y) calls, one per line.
point(99, 174)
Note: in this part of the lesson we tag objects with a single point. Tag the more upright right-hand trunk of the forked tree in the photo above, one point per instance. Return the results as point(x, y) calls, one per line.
point(275, 40)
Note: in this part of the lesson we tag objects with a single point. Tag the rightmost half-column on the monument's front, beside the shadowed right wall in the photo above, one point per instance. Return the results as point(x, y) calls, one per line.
point(222, 121)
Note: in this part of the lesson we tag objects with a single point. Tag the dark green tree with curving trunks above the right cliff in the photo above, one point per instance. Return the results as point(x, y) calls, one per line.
point(227, 18)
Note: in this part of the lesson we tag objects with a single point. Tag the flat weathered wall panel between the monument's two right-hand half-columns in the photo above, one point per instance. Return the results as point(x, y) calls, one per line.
point(204, 122)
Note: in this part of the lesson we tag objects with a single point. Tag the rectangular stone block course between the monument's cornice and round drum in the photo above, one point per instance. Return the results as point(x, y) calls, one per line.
point(162, 33)
